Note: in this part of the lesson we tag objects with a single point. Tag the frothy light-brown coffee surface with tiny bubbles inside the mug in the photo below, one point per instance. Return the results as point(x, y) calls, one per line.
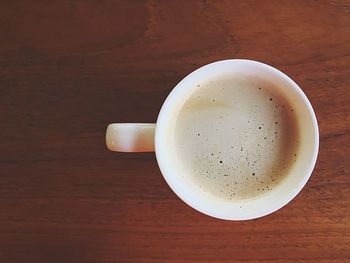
point(236, 137)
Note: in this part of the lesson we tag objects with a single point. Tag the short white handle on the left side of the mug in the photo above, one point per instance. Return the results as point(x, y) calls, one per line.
point(130, 137)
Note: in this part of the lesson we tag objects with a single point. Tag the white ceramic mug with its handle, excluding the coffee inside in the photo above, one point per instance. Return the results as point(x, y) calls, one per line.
point(141, 137)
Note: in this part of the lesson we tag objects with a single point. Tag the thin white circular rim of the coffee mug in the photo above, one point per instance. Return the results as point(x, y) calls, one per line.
point(159, 147)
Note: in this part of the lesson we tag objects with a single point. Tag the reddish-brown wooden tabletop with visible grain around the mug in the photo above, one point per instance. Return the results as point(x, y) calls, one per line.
point(68, 68)
